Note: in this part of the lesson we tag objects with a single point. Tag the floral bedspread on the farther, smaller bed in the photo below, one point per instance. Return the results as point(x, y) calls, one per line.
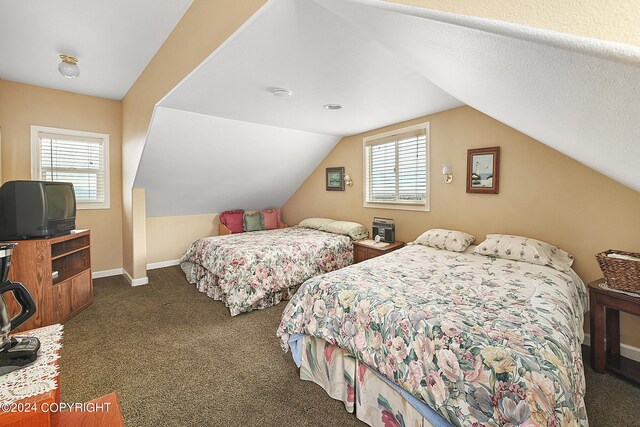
point(249, 271)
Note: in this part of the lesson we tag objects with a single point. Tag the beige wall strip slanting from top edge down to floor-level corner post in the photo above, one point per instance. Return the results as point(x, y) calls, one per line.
point(200, 31)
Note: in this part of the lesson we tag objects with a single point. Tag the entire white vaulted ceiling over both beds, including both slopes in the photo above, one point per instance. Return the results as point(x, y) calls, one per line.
point(384, 63)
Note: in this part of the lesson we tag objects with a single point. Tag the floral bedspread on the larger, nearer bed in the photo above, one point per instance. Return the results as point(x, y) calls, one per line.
point(483, 341)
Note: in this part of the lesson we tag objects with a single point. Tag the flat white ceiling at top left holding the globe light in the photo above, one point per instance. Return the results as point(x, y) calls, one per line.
point(114, 41)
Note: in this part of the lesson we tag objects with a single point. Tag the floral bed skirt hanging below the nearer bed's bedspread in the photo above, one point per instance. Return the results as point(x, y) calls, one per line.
point(360, 388)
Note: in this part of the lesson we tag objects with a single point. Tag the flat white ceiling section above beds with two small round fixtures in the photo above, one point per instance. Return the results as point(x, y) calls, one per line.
point(301, 46)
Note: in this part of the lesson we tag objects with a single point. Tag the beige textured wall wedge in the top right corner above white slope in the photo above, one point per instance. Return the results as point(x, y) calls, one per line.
point(611, 20)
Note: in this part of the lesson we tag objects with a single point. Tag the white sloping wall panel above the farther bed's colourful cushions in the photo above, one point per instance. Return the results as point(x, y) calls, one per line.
point(211, 164)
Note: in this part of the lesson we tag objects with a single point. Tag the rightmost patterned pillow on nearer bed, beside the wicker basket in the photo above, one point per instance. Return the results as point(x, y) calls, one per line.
point(520, 248)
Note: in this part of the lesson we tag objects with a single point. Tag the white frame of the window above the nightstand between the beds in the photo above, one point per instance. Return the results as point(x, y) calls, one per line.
point(426, 207)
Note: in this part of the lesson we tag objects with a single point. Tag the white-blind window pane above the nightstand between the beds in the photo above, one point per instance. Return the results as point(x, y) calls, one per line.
point(396, 168)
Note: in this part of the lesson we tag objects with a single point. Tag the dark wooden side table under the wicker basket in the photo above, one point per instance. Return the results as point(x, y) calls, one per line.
point(605, 307)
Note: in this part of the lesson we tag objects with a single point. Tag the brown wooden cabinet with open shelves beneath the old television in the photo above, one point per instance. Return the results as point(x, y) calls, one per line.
point(57, 272)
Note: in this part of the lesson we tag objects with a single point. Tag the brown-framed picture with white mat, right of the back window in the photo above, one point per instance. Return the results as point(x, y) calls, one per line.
point(483, 170)
